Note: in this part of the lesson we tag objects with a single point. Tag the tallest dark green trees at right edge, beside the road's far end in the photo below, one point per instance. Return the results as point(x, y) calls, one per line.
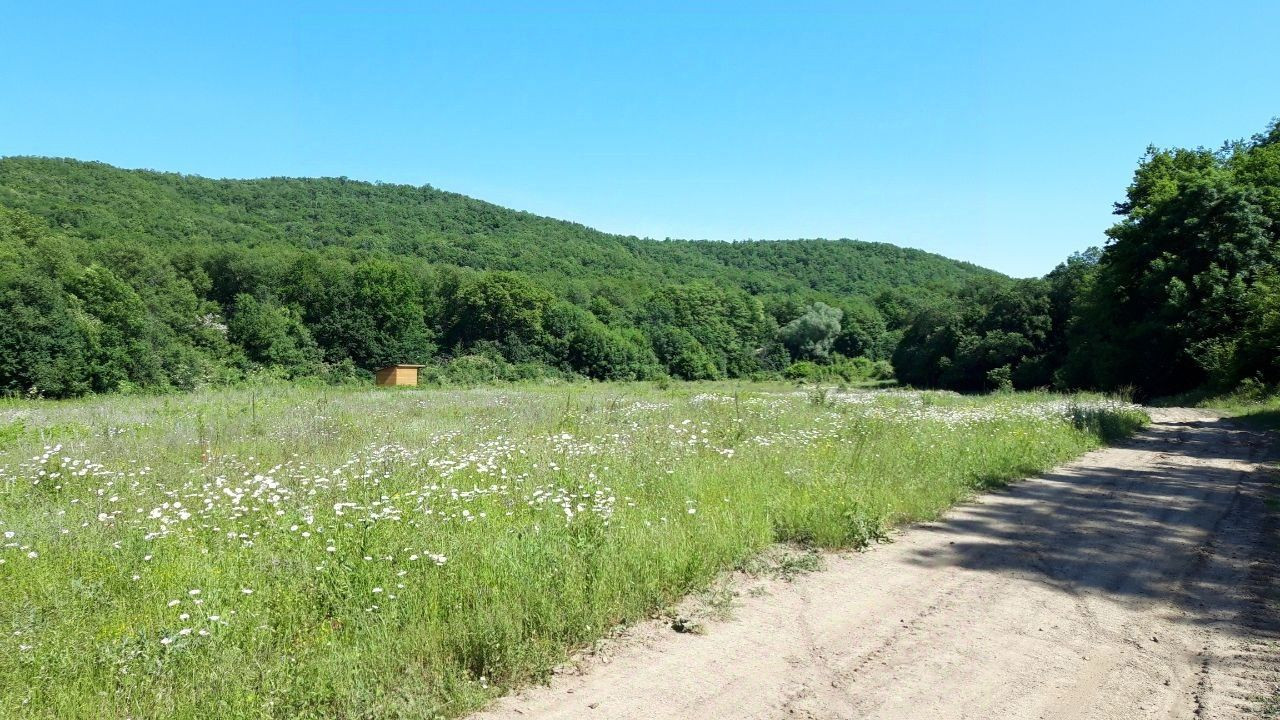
point(1182, 291)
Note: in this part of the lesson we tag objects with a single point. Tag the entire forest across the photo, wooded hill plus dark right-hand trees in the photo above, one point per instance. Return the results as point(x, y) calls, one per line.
point(130, 280)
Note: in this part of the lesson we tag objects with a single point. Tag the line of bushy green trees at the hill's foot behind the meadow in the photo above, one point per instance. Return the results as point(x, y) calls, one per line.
point(104, 316)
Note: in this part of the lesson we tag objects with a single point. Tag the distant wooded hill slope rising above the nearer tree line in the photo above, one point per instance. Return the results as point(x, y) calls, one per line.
point(95, 200)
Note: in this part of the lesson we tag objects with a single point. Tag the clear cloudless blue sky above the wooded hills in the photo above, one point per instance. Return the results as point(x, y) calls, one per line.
point(994, 133)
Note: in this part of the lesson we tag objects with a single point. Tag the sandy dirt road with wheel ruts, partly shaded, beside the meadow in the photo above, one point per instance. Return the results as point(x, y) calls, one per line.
point(1131, 584)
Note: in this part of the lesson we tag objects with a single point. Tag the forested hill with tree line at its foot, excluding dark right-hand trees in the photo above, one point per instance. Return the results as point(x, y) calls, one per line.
point(132, 280)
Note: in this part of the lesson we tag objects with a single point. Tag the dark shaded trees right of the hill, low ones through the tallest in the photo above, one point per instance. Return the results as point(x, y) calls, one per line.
point(1185, 297)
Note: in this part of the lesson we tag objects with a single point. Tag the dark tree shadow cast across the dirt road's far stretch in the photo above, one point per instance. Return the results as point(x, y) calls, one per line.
point(1181, 523)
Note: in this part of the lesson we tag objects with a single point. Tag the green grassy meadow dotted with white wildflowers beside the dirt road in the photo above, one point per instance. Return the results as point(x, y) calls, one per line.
point(313, 553)
